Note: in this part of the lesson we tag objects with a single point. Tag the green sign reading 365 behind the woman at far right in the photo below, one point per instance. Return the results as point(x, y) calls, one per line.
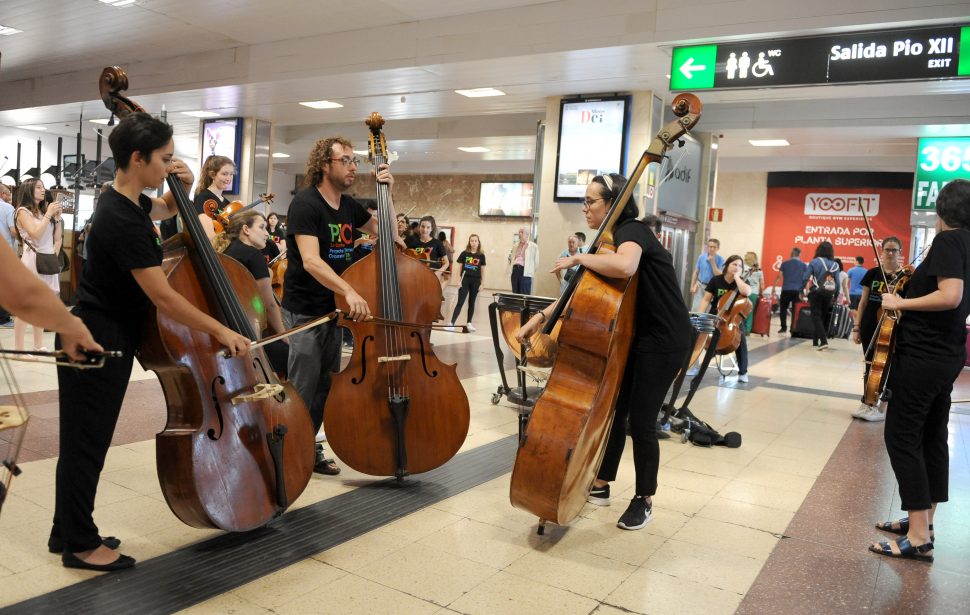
point(938, 161)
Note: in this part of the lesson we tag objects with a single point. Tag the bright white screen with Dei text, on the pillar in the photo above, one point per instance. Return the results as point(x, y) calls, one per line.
point(592, 141)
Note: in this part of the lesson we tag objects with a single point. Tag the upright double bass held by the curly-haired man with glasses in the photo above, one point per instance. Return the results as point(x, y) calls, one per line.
point(395, 409)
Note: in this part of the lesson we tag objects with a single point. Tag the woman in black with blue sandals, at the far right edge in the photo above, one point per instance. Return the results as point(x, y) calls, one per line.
point(929, 354)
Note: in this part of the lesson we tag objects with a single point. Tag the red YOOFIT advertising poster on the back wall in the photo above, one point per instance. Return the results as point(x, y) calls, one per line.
point(805, 217)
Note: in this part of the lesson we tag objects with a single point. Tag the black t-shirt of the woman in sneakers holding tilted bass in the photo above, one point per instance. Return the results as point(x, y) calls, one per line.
point(663, 323)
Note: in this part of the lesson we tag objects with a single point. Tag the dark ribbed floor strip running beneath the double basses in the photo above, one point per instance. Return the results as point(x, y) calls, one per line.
point(196, 573)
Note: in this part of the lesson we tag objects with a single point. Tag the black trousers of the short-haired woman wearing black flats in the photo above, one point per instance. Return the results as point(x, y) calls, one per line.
point(90, 402)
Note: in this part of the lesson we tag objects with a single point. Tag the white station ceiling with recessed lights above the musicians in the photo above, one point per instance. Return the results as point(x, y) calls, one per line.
point(404, 58)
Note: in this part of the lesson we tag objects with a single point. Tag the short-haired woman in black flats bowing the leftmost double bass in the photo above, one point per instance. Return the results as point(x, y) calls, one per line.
point(122, 278)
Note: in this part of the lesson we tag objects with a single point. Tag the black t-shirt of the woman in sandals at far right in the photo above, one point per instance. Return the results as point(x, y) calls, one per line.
point(938, 334)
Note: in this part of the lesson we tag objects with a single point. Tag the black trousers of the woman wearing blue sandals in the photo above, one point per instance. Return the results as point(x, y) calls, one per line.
point(916, 427)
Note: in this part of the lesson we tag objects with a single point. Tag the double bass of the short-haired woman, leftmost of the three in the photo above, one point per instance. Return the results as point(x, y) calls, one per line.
point(237, 447)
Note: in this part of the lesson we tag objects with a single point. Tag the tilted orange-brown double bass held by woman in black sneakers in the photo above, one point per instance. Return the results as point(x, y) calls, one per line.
point(563, 445)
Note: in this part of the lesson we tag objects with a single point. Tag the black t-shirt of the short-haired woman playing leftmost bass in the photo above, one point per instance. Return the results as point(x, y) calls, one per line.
point(122, 238)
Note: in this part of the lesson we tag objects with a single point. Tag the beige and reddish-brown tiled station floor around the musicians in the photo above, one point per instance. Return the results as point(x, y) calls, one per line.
point(720, 514)
